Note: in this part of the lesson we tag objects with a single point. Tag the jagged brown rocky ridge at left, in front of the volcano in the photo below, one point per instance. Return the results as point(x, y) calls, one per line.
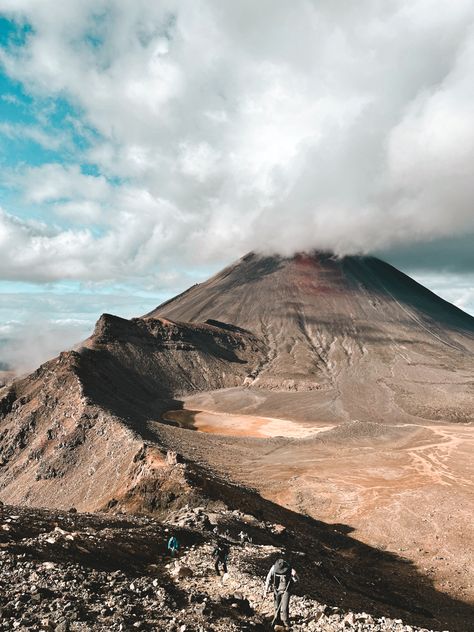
point(74, 431)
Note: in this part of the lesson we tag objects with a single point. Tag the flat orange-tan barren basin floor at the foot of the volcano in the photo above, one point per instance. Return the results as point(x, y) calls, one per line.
point(404, 488)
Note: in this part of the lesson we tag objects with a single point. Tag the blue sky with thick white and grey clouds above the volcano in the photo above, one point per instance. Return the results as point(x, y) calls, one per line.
point(144, 145)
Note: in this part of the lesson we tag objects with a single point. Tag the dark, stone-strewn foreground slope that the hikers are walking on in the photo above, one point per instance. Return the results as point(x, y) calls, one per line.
point(72, 572)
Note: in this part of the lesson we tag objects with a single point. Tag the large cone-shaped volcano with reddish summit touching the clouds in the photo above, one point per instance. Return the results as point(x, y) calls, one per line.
point(353, 337)
